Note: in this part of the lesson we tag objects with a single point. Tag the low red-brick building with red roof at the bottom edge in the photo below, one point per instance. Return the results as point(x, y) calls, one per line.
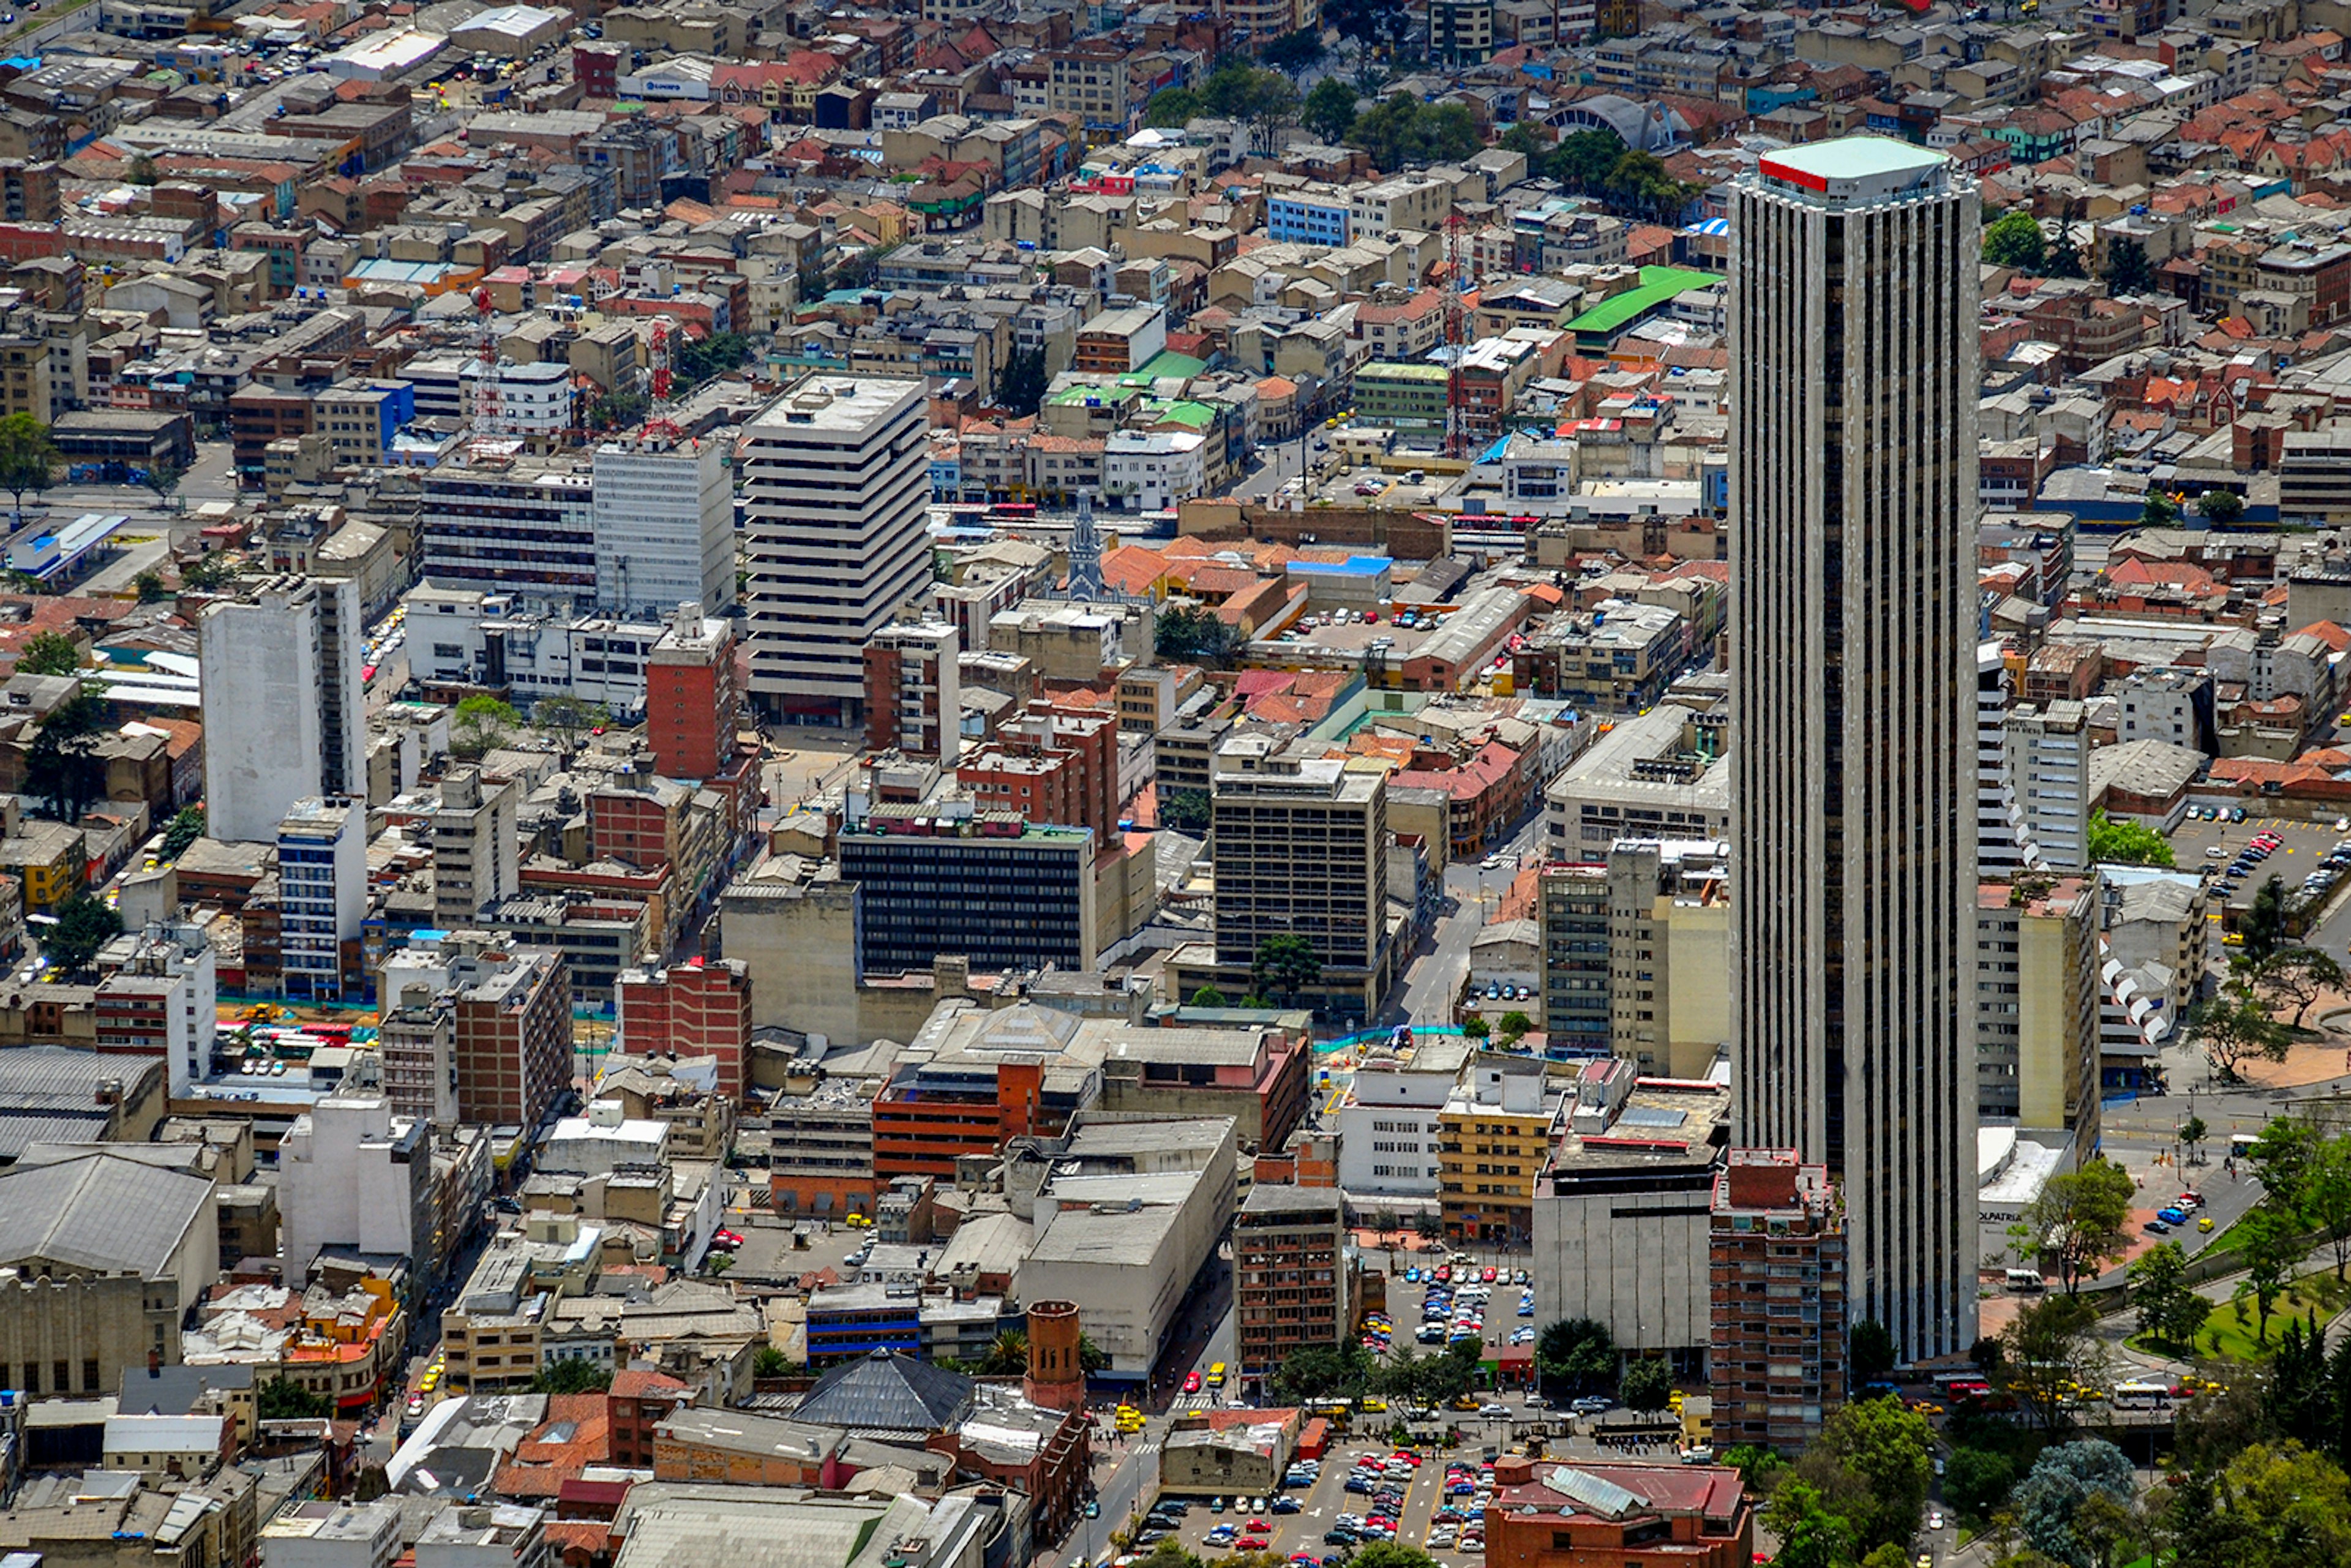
point(1550, 1515)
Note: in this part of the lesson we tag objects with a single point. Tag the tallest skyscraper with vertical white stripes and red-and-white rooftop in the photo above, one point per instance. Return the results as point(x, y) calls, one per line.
point(1854, 359)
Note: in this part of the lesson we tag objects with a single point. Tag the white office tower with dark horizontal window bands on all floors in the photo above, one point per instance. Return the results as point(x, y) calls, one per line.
point(838, 481)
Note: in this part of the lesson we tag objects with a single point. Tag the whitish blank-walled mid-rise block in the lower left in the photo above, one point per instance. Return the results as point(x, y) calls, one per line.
point(356, 1179)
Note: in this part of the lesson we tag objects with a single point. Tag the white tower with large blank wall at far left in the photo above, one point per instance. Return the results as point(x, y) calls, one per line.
point(283, 709)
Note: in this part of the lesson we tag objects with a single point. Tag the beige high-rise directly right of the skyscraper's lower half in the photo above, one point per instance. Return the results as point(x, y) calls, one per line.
point(2037, 998)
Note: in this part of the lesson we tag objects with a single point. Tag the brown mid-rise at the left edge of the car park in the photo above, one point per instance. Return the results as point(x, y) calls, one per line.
point(1294, 1275)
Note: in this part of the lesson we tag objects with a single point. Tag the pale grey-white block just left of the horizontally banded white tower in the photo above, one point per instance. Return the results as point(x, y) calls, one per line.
point(664, 525)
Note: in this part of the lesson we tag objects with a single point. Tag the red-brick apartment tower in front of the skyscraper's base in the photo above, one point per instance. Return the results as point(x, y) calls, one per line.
point(1776, 1242)
